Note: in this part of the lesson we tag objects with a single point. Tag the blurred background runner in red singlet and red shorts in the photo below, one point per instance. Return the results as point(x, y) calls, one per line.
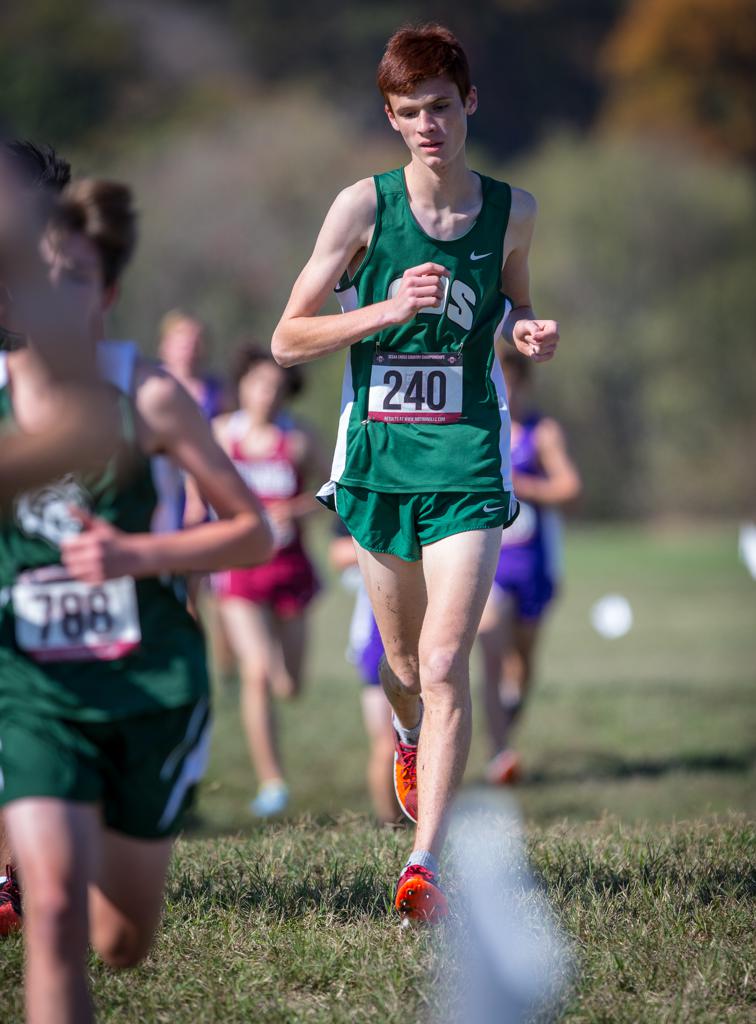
point(265, 610)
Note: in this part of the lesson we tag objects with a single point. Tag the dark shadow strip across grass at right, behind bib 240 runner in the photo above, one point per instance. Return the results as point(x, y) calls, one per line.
point(609, 766)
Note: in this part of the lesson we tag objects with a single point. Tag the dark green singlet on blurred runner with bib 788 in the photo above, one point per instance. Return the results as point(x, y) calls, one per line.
point(165, 670)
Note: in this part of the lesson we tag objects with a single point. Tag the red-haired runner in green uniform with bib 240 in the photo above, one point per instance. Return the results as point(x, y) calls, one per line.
point(424, 259)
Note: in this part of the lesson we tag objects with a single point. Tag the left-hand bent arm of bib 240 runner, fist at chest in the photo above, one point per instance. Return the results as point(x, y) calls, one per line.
point(302, 334)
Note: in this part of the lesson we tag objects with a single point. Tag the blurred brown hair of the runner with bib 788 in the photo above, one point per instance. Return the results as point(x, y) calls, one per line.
point(105, 214)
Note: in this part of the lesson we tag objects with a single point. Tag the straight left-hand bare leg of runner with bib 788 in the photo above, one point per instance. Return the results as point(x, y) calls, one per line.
point(57, 844)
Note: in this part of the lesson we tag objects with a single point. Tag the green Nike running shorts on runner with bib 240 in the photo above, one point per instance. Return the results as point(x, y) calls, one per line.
point(403, 525)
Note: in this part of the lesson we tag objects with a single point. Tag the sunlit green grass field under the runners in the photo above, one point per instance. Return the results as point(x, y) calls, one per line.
point(639, 801)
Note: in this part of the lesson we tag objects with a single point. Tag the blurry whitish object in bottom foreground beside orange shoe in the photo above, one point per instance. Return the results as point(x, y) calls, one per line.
point(507, 958)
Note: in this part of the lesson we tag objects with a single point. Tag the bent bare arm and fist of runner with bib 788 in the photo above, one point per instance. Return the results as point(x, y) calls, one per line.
point(175, 426)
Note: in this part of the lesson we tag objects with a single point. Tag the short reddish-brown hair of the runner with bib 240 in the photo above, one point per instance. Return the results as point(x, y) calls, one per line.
point(422, 52)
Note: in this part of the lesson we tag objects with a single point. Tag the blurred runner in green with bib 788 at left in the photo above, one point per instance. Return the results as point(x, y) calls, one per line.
point(104, 697)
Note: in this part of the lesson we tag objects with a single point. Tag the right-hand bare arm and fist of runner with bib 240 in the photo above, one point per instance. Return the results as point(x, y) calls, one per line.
point(535, 338)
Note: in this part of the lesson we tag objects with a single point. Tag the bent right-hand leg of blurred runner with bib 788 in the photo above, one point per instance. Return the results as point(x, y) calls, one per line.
point(127, 897)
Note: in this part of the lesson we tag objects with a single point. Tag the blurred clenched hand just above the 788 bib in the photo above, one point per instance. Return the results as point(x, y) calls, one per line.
point(101, 552)
